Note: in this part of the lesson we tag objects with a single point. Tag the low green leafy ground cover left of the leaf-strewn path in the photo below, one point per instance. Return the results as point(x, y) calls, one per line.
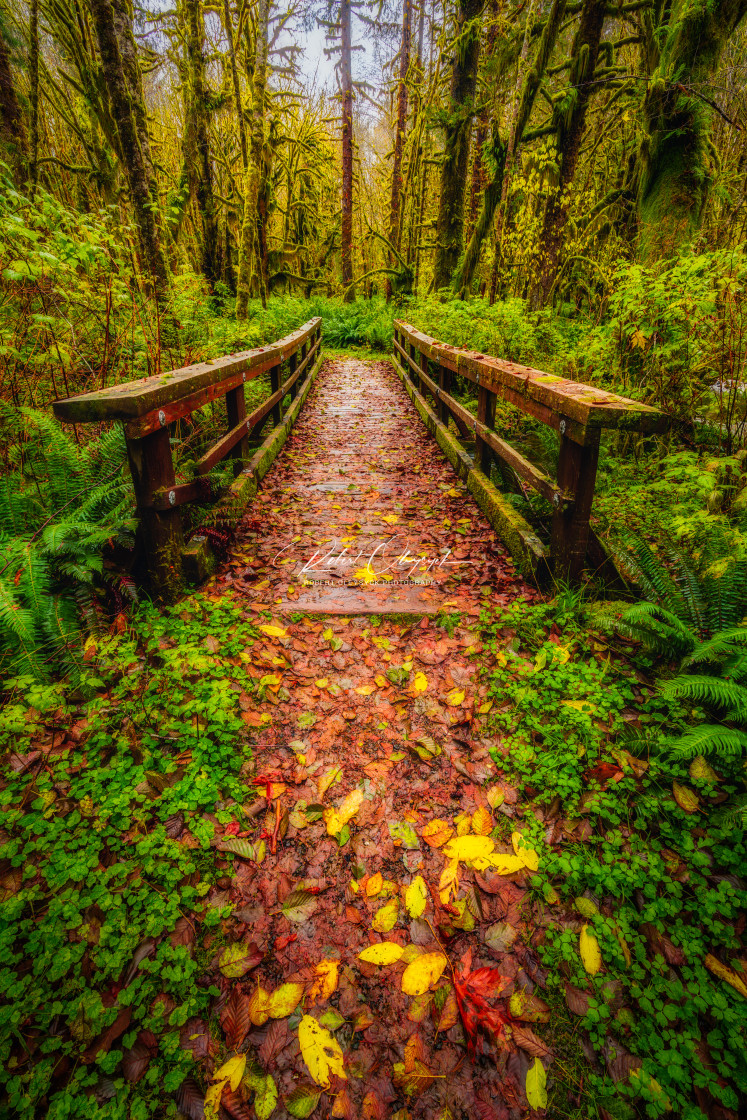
point(109, 811)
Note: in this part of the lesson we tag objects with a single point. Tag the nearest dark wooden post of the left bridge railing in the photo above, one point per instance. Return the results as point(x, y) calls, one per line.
point(153, 470)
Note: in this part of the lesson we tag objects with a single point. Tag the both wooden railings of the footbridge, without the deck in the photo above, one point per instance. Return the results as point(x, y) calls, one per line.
point(153, 409)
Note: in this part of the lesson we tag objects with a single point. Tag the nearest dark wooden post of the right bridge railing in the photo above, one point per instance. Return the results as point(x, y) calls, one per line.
point(577, 473)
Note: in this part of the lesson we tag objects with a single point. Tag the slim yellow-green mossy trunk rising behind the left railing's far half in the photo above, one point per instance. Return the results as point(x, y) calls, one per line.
point(250, 269)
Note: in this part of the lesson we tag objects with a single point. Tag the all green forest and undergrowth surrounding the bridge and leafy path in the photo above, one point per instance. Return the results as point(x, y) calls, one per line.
point(559, 184)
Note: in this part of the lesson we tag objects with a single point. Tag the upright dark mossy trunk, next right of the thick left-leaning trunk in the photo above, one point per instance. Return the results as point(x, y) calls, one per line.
point(201, 119)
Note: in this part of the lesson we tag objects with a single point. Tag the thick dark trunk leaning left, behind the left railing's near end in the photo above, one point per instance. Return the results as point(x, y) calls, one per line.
point(133, 158)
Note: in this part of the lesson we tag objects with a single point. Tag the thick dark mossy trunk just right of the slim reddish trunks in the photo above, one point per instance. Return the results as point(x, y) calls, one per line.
point(456, 145)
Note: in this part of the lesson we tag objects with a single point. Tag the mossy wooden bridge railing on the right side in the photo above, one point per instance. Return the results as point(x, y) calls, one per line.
point(576, 412)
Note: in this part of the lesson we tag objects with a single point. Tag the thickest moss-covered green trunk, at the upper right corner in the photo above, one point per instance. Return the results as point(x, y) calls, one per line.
point(677, 165)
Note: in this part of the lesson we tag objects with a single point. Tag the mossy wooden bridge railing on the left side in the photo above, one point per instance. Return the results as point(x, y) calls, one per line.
point(148, 407)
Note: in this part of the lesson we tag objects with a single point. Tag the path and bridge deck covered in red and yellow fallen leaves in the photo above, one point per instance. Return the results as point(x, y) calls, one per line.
point(376, 794)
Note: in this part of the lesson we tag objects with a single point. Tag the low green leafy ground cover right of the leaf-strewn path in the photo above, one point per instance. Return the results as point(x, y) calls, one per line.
point(641, 861)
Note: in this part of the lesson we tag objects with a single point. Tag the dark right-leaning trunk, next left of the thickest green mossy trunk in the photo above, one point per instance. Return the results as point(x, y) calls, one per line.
point(571, 123)
